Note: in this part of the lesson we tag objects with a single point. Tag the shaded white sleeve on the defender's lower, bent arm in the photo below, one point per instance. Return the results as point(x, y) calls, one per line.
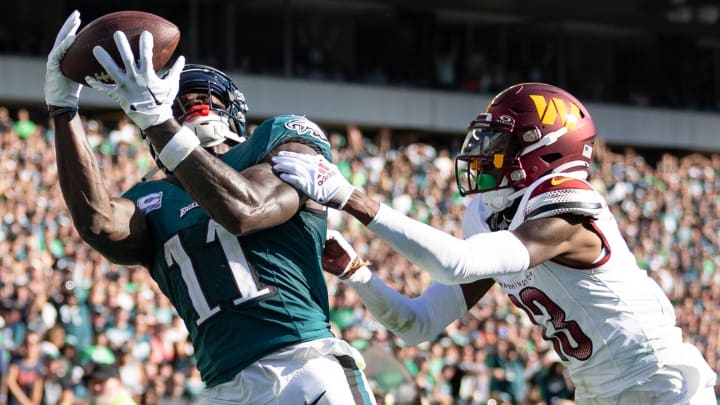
point(415, 320)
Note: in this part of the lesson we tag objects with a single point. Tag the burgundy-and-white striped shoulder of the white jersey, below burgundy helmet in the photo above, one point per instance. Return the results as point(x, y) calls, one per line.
point(561, 194)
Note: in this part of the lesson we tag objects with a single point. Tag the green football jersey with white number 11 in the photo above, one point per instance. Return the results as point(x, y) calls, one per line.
point(243, 297)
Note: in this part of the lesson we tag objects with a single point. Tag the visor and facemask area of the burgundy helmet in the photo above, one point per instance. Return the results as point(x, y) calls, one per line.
point(479, 167)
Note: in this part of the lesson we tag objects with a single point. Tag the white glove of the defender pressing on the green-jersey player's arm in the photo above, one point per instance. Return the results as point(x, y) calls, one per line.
point(315, 176)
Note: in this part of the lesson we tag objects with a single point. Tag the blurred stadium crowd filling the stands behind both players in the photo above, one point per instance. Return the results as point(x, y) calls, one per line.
point(64, 309)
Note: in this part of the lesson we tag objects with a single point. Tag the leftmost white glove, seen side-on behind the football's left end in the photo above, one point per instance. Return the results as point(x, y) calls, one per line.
point(59, 90)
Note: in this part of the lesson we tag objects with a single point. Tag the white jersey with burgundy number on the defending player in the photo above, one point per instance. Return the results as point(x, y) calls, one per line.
point(611, 324)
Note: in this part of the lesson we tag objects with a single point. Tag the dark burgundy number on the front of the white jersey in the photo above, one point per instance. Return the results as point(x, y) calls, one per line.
point(538, 305)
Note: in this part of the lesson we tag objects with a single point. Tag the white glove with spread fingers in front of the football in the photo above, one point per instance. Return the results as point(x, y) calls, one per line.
point(146, 98)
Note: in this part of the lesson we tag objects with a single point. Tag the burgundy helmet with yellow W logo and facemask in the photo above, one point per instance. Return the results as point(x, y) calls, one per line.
point(528, 130)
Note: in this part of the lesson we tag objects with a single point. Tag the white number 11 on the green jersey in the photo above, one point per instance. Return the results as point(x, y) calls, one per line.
point(244, 277)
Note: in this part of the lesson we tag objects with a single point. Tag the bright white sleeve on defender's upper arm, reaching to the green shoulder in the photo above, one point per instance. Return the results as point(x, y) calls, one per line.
point(448, 259)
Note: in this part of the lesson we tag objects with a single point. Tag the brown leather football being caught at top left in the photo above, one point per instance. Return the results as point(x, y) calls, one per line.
point(79, 61)
